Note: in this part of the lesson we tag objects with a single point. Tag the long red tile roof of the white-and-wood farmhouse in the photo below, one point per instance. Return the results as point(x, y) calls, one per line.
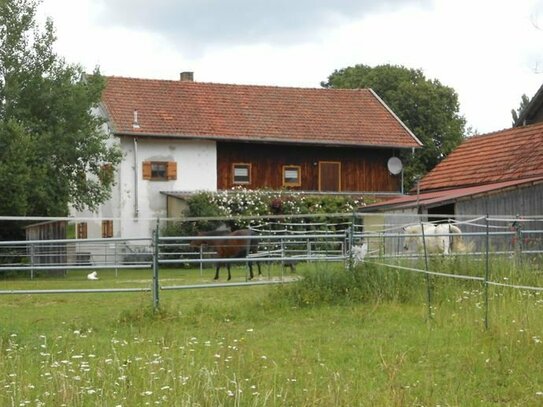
point(257, 113)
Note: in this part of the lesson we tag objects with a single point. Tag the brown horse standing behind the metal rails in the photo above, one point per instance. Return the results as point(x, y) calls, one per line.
point(230, 248)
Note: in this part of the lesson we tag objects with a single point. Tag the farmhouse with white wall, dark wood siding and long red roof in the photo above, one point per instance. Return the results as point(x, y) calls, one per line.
point(182, 136)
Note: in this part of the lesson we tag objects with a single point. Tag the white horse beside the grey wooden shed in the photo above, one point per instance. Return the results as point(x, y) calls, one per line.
point(443, 238)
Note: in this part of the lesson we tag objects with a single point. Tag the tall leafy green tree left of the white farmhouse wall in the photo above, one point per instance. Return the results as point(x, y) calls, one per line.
point(53, 153)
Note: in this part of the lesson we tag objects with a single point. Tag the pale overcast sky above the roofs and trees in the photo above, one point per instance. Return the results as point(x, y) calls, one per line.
point(489, 51)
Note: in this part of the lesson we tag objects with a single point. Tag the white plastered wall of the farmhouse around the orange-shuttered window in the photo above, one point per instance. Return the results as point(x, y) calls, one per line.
point(137, 203)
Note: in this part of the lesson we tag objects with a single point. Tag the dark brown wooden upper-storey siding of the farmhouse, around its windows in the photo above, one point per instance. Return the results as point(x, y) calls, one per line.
point(362, 170)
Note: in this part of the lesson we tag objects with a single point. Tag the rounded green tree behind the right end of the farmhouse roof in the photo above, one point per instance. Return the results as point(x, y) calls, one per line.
point(428, 108)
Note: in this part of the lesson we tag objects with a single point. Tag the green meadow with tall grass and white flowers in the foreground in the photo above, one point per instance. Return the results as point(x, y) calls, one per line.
point(336, 337)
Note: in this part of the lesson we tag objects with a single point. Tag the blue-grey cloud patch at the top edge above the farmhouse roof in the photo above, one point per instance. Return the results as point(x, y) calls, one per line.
point(196, 24)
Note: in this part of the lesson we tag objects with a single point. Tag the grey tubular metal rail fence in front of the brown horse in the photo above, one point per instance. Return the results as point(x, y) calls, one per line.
point(151, 254)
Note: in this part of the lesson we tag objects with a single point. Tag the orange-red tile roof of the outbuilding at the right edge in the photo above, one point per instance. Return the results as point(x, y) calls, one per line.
point(506, 155)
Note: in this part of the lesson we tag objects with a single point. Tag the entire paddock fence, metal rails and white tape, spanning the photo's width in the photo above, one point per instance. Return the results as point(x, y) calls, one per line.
point(287, 240)
